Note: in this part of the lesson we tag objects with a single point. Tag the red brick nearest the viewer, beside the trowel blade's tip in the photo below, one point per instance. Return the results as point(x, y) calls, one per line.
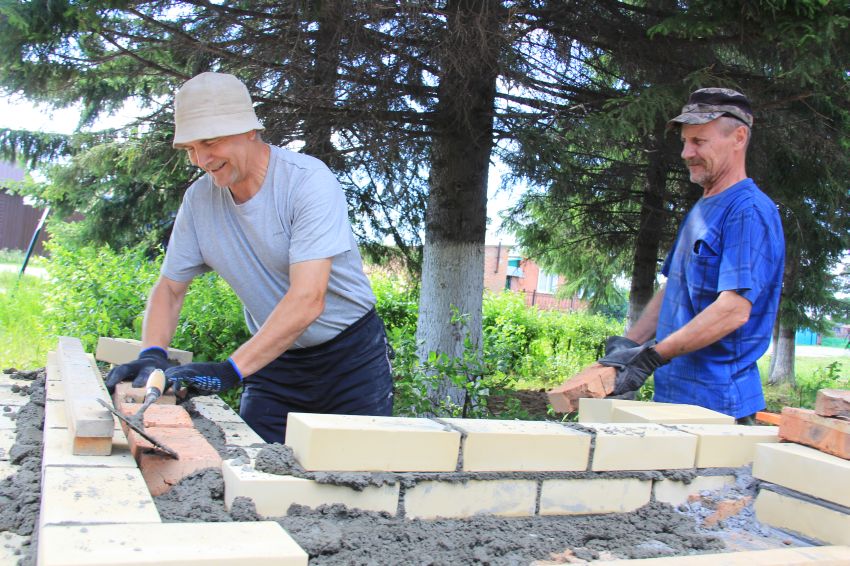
point(160, 471)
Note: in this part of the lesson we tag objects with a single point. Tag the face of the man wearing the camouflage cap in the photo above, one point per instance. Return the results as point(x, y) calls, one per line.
point(714, 153)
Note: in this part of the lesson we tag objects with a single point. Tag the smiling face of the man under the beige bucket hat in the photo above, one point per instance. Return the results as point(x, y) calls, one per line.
point(226, 158)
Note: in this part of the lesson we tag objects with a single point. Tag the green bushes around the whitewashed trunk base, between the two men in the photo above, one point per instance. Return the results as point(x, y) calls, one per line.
point(524, 348)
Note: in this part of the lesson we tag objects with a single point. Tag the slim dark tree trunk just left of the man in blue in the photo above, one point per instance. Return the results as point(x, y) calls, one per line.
point(650, 233)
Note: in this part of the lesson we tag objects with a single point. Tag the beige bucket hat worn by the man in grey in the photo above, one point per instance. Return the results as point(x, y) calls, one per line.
point(210, 105)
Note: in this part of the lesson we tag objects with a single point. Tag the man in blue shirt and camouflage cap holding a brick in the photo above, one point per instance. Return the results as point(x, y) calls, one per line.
point(713, 320)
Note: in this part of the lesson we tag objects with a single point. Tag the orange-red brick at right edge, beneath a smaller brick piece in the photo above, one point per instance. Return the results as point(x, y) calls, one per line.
point(827, 434)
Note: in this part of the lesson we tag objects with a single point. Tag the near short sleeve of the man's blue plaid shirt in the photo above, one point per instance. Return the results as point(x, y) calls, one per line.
point(746, 261)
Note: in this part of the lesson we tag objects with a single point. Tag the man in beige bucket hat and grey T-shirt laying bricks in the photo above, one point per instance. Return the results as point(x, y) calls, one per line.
point(274, 224)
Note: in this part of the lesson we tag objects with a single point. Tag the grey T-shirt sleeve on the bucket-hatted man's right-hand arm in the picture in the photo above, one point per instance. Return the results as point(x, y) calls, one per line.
point(320, 225)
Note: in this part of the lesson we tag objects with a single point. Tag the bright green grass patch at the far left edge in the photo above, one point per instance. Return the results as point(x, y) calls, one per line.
point(24, 343)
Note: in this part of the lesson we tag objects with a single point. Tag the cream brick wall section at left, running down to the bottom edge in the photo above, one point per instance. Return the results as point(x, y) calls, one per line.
point(97, 509)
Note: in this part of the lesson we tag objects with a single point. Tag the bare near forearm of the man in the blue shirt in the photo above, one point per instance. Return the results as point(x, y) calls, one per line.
point(726, 314)
